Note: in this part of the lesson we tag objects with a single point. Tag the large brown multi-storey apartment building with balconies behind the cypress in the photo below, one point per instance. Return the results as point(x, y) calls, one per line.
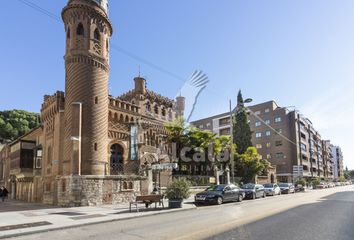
point(284, 137)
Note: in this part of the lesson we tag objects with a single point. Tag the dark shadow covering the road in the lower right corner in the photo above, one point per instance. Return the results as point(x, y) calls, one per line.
point(331, 217)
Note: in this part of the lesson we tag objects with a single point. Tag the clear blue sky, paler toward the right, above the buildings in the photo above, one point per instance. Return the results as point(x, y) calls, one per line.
point(298, 53)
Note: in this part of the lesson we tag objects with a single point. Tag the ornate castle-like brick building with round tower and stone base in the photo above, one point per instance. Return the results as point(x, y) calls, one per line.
point(91, 148)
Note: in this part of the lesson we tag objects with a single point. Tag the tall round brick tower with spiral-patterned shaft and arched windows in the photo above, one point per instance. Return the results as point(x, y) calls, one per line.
point(88, 31)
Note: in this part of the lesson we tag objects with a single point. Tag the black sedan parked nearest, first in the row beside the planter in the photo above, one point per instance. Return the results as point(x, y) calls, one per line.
point(219, 194)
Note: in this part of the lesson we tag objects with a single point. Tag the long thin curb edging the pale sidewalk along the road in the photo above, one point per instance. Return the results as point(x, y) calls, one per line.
point(87, 224)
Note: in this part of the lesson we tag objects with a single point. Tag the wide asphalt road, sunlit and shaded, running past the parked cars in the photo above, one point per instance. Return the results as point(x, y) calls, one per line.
point(322, 214)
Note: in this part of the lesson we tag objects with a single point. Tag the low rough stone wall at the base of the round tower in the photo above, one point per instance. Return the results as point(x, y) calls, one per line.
point(97, 190)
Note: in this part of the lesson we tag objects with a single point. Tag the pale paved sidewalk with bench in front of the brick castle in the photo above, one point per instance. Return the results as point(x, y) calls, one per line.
point(19, 218)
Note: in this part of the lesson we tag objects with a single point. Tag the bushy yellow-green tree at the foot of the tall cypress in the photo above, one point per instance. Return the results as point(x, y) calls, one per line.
point(249, 164)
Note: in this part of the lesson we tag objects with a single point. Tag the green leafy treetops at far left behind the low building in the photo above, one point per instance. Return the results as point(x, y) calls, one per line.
point(15, 123)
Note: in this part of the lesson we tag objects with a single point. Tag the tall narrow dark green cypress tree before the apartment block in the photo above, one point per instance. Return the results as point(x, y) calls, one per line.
point(242, 133)
